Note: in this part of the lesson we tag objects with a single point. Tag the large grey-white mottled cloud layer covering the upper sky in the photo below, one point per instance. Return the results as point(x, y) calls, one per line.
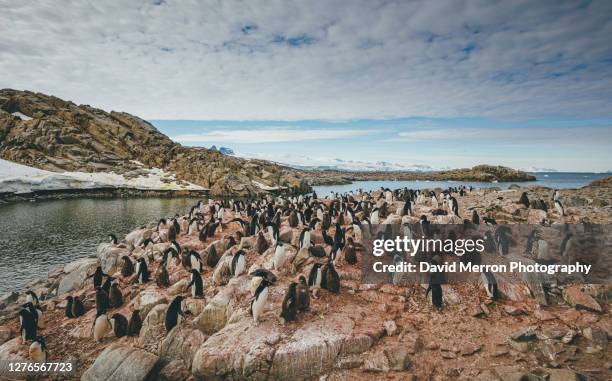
point(294, 60)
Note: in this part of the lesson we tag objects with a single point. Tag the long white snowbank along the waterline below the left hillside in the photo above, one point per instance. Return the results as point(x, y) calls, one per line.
point(18, 178)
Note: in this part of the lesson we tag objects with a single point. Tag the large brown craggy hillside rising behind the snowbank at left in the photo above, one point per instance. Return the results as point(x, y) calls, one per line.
point(49, 133)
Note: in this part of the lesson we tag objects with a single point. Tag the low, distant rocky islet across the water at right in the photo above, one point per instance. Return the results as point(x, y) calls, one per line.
point(483, 173)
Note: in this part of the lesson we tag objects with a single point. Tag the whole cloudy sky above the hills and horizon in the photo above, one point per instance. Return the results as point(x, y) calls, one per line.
point(440, 83)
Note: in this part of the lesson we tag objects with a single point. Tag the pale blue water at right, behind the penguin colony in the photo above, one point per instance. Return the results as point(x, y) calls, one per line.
point(551, 179)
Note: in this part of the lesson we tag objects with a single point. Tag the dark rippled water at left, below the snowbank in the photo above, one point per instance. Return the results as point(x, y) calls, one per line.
point(39, 236)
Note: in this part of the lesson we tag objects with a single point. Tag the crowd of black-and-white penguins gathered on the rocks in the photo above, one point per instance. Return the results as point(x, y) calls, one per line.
point(339, 219)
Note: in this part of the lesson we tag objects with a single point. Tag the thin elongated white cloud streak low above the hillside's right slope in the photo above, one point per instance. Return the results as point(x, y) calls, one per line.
point(268, 135)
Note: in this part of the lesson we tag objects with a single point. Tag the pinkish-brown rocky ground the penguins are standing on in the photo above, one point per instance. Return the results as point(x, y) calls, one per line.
point(364, 332)
